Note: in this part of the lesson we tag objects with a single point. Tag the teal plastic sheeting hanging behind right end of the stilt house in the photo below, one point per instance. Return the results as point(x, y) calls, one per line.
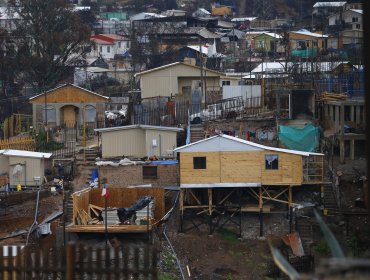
point(301, 139)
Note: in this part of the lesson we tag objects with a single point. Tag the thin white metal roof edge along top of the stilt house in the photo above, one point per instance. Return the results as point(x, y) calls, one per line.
point(247, 143)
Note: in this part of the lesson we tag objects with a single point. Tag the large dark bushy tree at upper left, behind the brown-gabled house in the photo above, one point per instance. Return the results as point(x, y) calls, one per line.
point(50, 37)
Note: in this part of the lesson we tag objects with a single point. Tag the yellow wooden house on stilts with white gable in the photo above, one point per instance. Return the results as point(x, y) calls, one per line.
point(214, 170)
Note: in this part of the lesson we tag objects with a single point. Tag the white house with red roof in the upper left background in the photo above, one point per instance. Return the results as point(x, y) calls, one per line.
point(109, 45)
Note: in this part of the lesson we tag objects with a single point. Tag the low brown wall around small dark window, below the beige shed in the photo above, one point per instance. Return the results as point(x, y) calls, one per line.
point(131, 175)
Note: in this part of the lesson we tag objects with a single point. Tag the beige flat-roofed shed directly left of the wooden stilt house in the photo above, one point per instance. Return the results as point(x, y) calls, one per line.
point(138, 141)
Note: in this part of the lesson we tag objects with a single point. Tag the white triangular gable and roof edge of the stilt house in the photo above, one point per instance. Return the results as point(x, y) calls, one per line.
point(222, 142)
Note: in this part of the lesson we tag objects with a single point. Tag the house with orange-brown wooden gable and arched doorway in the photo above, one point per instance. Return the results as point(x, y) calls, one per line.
point(68, 105)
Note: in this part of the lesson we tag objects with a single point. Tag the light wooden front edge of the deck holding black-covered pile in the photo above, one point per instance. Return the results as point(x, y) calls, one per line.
point(110, 228)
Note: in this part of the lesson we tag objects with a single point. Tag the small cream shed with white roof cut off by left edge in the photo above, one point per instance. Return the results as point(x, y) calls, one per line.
point(23, 167)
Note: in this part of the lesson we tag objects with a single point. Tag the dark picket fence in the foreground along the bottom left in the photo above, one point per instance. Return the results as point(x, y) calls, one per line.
point(80, 262)
